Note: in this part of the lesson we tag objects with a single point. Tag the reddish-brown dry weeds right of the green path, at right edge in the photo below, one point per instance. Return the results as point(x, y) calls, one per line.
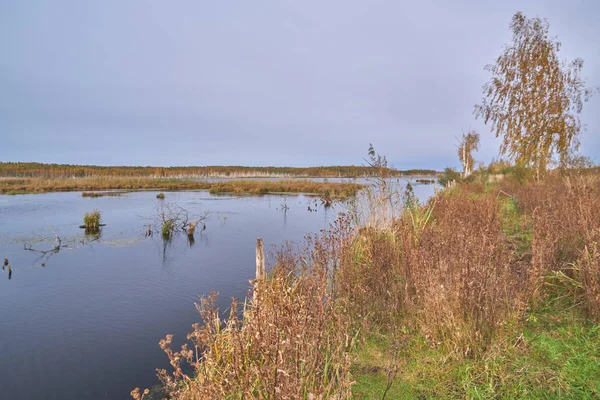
point(565, 218)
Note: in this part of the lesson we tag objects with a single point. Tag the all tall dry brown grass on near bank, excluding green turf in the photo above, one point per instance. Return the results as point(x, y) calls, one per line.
point(460, 272)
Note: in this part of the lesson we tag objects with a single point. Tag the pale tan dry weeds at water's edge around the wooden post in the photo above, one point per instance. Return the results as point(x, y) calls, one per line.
point(291, 340)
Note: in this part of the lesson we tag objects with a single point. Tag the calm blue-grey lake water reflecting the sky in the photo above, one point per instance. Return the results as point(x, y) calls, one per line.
point(87, 324)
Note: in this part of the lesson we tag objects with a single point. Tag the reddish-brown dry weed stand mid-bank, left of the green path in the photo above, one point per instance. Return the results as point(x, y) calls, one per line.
point(450, 278)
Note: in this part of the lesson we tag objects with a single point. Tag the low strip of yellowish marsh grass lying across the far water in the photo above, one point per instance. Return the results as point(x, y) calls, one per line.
point(40, 185)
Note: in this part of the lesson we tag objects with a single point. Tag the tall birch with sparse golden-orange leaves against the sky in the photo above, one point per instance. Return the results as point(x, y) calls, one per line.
point(534, 99)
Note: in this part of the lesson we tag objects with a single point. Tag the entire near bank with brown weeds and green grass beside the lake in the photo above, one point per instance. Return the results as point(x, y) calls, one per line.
point(483, 292)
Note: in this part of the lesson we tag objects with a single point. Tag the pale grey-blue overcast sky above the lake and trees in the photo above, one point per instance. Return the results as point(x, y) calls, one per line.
point(143, 82)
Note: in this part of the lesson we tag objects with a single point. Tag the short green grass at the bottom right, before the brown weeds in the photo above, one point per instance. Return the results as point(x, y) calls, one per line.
point(553, 354)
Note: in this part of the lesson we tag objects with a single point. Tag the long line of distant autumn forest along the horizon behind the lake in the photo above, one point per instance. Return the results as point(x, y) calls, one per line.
point(39, 170)
